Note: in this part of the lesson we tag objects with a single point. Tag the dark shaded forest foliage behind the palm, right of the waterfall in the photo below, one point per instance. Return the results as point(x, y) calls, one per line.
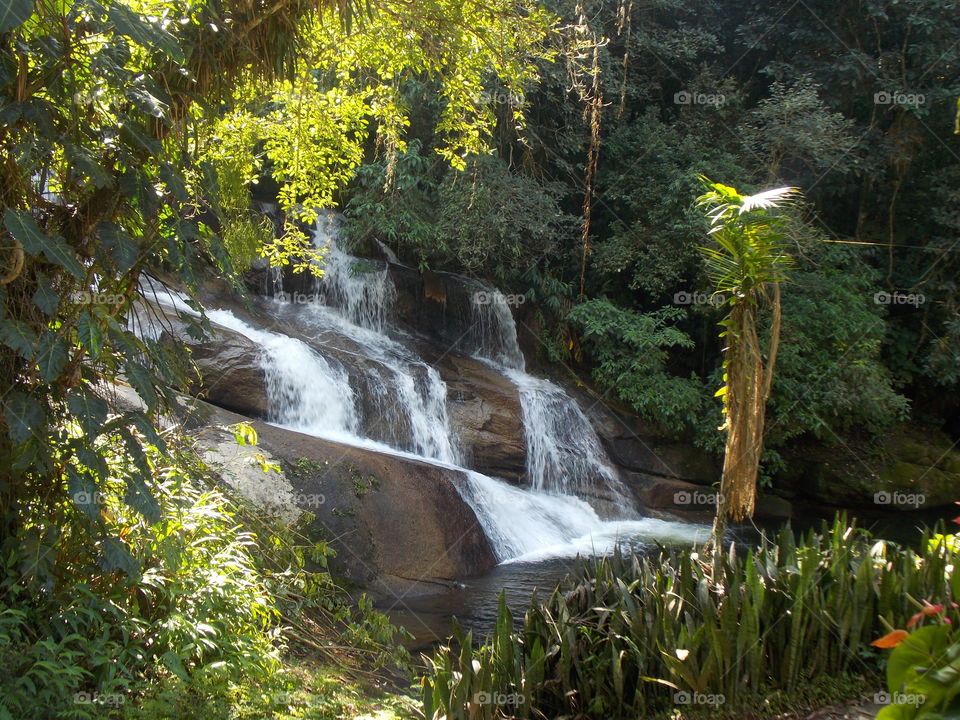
point(853, 104)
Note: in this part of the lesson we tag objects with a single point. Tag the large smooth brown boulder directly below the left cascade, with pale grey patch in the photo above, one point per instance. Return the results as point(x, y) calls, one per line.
point(396, 524)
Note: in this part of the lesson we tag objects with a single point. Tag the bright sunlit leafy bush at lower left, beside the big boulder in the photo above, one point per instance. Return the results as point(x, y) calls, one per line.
point(190, 605)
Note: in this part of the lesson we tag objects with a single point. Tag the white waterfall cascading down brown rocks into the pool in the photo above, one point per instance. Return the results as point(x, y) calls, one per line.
point(337, 367)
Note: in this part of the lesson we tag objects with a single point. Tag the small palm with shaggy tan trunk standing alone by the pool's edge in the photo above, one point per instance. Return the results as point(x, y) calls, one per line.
point(746, 265)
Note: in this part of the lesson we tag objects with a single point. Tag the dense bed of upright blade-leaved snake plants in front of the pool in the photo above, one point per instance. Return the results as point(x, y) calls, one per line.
point(631, 636)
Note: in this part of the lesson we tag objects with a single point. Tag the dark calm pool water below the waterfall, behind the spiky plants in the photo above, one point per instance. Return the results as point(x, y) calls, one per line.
point(473, 604)
